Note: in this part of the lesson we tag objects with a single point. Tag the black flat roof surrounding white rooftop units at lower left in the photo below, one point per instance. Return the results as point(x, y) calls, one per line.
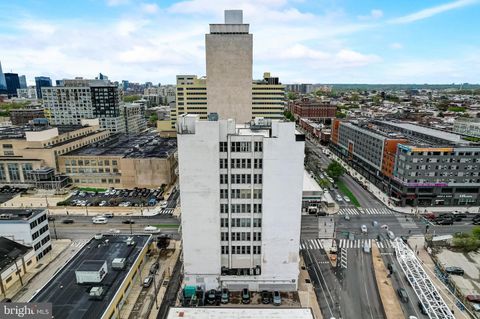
point(71, 300)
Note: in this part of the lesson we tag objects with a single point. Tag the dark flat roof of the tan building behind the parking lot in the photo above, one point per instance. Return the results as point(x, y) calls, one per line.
point(141, 145)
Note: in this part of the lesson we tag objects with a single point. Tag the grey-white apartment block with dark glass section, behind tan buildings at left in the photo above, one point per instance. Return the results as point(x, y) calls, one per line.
point(88, 99)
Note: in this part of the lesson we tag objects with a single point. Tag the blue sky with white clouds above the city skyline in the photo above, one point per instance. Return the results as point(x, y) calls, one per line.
point(300, 41)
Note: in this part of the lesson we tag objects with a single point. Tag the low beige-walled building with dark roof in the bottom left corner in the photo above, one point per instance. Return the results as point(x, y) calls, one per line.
point(16, 260)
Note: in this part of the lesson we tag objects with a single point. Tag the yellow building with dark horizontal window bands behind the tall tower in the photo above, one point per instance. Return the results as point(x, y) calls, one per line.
point(268, 97)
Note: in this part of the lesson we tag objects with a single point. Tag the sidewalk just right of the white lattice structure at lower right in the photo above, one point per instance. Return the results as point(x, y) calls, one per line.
point(429, 267)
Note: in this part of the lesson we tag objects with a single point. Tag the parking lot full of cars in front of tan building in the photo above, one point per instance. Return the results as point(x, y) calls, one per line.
point(137, 197)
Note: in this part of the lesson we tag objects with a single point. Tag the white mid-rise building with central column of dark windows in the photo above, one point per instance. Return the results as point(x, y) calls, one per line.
point(243, 184)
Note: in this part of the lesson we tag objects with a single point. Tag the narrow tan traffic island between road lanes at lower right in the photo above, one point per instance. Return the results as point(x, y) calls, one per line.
point(390, 302)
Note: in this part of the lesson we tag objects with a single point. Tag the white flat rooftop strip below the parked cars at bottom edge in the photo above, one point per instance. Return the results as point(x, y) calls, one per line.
point(240, 313)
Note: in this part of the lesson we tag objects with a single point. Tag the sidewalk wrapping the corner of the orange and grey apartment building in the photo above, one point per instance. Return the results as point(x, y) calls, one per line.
point(386, 200)
